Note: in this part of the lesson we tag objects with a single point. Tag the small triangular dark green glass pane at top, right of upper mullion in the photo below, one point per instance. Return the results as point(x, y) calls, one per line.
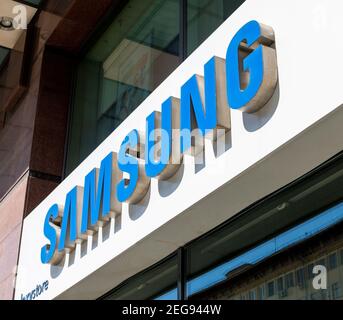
point(205, 16)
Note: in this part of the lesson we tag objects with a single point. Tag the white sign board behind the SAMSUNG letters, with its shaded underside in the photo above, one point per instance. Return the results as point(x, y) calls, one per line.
point(298, 129)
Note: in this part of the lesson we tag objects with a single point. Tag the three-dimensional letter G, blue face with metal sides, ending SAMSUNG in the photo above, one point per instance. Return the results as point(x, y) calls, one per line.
point(251, 82)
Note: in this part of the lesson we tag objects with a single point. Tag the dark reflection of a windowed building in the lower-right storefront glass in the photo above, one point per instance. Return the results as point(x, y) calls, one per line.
point(289, 275)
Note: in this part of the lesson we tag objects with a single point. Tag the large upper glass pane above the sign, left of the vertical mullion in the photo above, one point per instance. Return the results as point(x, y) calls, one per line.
point(134, 55)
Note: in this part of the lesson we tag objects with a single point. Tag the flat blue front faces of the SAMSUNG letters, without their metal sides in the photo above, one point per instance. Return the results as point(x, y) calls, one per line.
point(196, 107)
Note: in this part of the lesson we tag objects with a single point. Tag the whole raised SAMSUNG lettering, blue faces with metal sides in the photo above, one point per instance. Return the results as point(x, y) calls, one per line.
point(245, 80)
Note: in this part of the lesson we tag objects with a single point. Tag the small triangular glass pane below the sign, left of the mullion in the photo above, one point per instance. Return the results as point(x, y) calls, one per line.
point(159, 282)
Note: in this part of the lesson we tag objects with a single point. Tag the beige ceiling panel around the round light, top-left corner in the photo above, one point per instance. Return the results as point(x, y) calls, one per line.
point(8, 38)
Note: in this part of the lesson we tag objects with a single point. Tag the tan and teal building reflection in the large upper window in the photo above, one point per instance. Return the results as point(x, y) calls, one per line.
point(130, 75)
